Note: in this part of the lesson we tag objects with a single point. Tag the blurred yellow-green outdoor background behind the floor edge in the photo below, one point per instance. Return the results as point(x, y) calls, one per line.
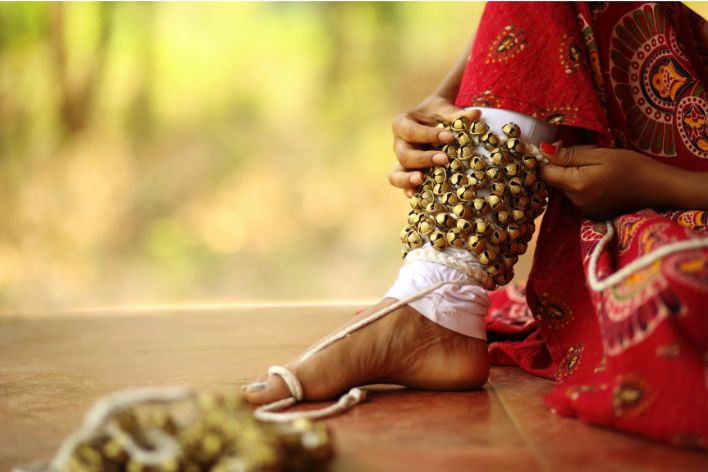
point(169, 153)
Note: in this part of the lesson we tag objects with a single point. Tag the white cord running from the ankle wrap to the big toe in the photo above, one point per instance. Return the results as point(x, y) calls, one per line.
point(346, 401)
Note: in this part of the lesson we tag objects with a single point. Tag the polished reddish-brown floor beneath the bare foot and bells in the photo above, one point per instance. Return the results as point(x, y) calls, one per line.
point(53, 368)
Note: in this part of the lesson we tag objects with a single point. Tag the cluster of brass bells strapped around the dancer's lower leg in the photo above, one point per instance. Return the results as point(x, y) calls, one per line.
point(484, 200)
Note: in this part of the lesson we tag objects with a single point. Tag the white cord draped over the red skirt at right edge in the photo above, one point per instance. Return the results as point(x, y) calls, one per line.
point(598, 285)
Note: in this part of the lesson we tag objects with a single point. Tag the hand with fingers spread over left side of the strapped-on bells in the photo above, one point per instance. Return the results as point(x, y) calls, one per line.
point(415, 133)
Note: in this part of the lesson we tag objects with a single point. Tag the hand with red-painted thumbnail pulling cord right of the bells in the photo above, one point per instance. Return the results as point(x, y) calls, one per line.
point(604, 182)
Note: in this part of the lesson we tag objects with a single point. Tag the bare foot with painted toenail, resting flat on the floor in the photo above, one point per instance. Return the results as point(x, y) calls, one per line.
point(402, 348)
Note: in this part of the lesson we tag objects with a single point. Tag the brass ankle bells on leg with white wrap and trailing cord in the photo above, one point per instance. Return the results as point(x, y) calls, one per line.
point(470, 220)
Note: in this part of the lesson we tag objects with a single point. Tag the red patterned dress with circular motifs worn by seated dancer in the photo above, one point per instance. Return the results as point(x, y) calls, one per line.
point(617, 311)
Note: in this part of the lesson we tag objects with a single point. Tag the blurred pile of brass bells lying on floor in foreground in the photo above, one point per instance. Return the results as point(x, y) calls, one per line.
point(218, 434)
